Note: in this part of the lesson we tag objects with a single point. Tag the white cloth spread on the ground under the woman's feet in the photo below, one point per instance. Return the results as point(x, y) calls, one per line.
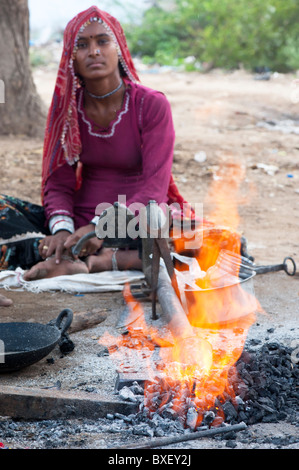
point(77, 283)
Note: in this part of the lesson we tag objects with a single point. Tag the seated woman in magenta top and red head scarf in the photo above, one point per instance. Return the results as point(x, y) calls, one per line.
point(106, 135)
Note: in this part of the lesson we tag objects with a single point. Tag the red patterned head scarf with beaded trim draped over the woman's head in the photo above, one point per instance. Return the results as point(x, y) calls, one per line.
point(62, 136)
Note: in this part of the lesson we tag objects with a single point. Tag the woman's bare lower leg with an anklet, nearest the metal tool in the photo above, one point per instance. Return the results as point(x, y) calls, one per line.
point(124, 260)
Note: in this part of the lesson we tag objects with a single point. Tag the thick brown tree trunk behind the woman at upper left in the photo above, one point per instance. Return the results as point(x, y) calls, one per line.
point(23, 111)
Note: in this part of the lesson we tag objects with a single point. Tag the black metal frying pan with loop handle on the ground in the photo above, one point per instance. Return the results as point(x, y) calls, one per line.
point(23, 344)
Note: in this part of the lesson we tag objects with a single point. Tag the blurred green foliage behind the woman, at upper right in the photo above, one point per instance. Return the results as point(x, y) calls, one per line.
point(225, 33)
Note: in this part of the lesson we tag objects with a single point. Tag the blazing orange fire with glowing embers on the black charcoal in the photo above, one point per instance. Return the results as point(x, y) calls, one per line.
point(198, 368)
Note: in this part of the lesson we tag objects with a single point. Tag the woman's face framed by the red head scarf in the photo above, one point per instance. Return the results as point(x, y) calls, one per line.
point(97, 55)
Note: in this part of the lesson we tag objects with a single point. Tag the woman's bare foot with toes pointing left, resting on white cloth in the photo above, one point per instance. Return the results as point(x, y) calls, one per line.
point(48, 268)
